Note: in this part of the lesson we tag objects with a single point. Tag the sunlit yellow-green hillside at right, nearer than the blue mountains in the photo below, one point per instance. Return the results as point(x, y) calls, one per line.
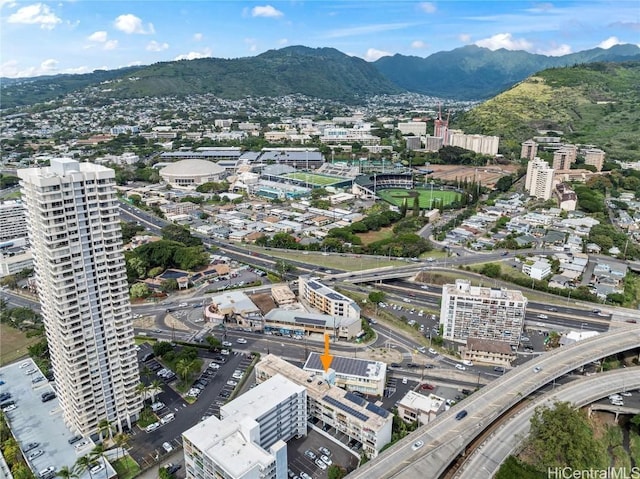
point(596, 103)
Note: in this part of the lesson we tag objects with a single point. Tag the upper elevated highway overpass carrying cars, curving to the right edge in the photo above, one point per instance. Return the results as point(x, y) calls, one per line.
point(446, 438)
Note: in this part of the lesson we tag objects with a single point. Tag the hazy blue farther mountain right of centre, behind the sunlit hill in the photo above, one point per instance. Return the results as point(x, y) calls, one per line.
point(473, 72)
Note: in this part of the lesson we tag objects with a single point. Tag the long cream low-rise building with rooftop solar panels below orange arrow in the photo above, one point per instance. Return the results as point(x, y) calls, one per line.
point(331, 406)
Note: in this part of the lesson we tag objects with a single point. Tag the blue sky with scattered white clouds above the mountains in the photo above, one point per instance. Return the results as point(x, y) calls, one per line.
point(79, 36)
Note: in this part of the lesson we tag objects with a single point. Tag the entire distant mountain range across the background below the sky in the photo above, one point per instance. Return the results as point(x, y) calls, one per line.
point(465, 73)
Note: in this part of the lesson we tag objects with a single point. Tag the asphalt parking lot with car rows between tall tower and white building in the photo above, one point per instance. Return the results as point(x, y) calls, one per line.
point(147, 447)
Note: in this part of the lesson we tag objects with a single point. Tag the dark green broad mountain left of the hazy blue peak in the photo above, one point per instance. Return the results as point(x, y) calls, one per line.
point(321, 73)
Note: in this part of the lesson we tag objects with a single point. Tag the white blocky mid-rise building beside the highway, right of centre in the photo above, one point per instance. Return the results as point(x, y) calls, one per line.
point(485, 313)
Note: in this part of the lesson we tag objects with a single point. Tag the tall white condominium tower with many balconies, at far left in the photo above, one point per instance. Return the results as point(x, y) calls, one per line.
point(74, 230)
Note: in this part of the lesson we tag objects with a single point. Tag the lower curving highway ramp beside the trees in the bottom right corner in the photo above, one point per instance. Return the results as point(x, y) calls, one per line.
point(486, 459)
